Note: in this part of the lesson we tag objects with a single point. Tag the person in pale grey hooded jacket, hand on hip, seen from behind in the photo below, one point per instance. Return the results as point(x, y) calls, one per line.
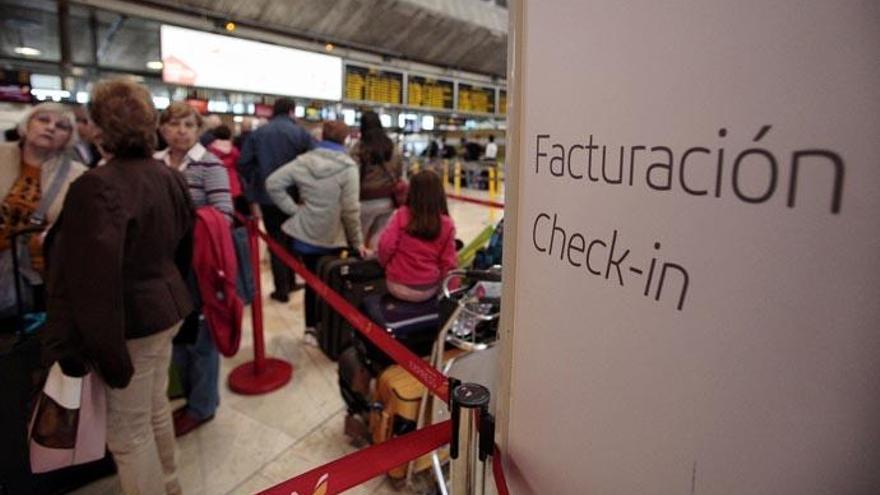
point(327, 218)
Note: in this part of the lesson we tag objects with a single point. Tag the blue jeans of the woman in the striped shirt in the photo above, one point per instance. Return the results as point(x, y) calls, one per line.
point(199, 366)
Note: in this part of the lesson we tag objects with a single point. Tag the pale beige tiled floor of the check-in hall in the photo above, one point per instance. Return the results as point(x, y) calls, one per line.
point(255, 442)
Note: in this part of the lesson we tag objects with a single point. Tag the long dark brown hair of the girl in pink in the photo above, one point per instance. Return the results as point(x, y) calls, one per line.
point(427, 202)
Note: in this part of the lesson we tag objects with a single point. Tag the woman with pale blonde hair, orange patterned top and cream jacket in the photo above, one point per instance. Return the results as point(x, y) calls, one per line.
point(35, 174)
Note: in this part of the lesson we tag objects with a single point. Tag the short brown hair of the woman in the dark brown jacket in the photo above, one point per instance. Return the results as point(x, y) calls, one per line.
point(123, 110)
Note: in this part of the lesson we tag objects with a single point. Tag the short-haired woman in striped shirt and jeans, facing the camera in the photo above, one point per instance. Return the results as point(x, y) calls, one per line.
point(195, 353)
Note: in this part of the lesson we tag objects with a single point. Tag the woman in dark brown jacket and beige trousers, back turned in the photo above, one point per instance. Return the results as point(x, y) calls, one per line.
point(116, 293)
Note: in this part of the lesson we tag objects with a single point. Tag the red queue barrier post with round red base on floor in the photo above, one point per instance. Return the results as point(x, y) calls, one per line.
point(262, 375)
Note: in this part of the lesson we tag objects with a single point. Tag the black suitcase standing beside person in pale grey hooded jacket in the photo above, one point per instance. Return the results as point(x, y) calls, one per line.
point(354, 279)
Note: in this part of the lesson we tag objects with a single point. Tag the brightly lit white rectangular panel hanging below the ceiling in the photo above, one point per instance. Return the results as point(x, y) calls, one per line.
point(196, 58)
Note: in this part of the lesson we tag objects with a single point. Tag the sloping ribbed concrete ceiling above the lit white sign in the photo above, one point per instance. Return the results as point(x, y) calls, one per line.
point(467, 35)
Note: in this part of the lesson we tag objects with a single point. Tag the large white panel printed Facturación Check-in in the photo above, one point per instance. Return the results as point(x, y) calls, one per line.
point(697, 305)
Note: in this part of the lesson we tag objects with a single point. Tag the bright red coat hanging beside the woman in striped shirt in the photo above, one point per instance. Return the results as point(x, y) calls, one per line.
point(215, 265)
